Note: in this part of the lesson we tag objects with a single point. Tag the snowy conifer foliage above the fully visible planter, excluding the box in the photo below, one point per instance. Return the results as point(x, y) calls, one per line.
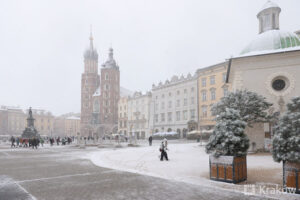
point(228, 137)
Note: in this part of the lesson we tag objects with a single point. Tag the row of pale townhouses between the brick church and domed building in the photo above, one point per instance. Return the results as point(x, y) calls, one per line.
point(181, 104)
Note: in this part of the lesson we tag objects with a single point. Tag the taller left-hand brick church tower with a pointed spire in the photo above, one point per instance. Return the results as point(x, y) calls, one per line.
point(90, 81)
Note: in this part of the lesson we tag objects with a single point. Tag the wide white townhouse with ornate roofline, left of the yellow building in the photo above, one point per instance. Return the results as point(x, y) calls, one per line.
point(174, 105)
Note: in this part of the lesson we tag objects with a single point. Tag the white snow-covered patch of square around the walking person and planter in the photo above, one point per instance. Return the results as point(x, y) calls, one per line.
point(189, 163)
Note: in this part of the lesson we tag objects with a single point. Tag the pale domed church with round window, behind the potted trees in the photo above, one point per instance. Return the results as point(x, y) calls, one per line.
point(269, 65)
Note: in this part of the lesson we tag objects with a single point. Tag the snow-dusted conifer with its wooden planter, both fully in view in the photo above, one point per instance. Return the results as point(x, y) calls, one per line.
point(228, 147)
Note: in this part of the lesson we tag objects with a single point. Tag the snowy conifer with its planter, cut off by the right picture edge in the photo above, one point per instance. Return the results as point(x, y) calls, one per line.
point(286, 145)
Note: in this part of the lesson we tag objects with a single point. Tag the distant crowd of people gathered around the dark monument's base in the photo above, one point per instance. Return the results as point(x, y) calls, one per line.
point(36, 142)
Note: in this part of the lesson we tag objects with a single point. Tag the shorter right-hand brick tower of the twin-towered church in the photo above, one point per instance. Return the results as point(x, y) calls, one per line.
point(110, 91)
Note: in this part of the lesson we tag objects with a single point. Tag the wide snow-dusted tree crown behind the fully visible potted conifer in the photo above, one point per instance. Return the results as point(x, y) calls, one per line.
point(251, 106)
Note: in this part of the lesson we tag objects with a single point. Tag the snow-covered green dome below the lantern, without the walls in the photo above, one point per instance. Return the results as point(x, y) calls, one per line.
point(272, 40)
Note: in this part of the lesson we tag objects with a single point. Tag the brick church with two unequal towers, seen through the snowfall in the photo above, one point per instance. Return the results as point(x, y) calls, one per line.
point(99, 94)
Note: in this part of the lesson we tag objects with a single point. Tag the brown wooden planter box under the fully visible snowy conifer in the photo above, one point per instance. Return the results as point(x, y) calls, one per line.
point(228, 169)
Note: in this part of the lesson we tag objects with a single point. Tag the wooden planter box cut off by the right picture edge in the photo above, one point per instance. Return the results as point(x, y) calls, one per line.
point(291, 177)
